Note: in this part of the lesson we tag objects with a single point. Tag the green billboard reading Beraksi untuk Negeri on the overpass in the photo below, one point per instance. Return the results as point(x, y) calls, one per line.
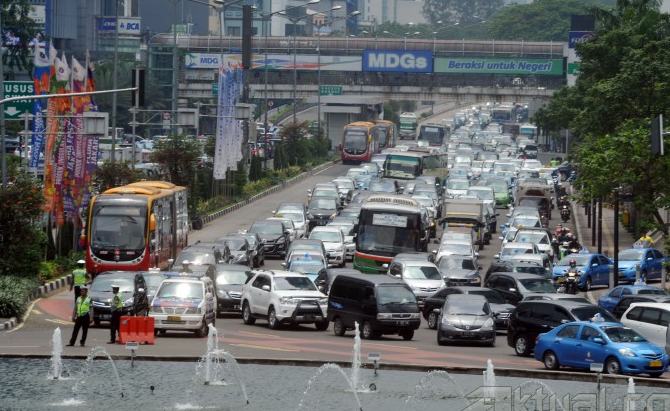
point(552, 67)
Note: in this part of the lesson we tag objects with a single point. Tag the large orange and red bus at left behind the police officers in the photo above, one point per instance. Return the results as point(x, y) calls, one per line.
point(136, 227)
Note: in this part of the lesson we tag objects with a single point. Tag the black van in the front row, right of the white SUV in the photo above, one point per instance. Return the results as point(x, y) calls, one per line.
point(380, 305)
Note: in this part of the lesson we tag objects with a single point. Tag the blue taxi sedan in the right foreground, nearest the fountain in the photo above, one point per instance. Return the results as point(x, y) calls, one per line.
point(620, 349)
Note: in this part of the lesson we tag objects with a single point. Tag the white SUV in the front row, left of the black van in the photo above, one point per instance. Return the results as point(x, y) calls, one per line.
point(283, 297)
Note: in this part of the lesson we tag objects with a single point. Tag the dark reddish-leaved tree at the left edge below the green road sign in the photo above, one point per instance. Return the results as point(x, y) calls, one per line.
point(21, 240)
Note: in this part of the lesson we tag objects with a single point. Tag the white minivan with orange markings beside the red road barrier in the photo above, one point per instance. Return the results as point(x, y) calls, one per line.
point(184, 302)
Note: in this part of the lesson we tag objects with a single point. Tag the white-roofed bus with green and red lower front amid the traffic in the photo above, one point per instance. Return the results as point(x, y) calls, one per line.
point(388, 225)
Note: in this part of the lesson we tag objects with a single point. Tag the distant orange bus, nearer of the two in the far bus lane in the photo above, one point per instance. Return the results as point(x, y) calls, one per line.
point(360, 140)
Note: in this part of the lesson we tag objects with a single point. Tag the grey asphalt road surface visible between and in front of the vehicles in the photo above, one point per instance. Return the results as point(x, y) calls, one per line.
point(258, 341)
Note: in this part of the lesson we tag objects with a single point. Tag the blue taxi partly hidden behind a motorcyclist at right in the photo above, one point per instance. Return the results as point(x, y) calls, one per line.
point(594, 269)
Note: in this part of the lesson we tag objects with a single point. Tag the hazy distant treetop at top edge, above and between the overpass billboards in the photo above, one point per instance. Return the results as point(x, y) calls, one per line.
point(460, 11)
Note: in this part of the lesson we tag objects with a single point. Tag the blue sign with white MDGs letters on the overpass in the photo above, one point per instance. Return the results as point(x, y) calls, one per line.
point(407, 61)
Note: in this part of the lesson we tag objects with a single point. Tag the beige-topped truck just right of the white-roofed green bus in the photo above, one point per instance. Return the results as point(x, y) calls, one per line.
point(468, 213)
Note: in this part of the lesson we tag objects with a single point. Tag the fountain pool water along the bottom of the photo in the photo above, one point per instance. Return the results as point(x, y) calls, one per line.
point(27, 384)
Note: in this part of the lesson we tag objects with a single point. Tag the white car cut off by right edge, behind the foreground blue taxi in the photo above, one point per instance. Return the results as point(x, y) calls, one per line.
point(649, 319)
